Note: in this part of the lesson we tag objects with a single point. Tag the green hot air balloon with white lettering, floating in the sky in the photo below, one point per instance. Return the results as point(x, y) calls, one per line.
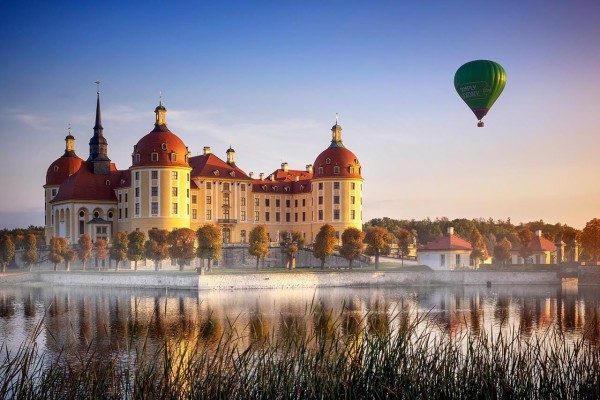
point(479, 83)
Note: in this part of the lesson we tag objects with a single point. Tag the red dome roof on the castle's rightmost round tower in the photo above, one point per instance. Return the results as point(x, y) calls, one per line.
point(336, 156)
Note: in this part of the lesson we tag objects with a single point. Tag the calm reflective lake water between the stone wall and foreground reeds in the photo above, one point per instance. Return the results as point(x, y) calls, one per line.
point(107, 321)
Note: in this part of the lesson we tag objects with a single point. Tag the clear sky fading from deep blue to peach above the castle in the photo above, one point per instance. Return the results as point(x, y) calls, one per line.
point(268, 77)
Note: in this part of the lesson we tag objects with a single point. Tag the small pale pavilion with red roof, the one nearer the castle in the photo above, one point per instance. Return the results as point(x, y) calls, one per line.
point(449, 252)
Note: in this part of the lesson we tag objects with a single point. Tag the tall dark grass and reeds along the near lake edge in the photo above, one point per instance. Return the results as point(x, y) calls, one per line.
point(342, 356)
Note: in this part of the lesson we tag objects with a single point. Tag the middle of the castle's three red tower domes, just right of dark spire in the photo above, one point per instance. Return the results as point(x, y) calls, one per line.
point(167, 148)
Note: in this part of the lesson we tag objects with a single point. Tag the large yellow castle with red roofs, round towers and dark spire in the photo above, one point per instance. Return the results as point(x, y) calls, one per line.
point(166, 188)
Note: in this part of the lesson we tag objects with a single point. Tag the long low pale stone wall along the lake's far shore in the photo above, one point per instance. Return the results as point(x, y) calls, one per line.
point(281, 280)
